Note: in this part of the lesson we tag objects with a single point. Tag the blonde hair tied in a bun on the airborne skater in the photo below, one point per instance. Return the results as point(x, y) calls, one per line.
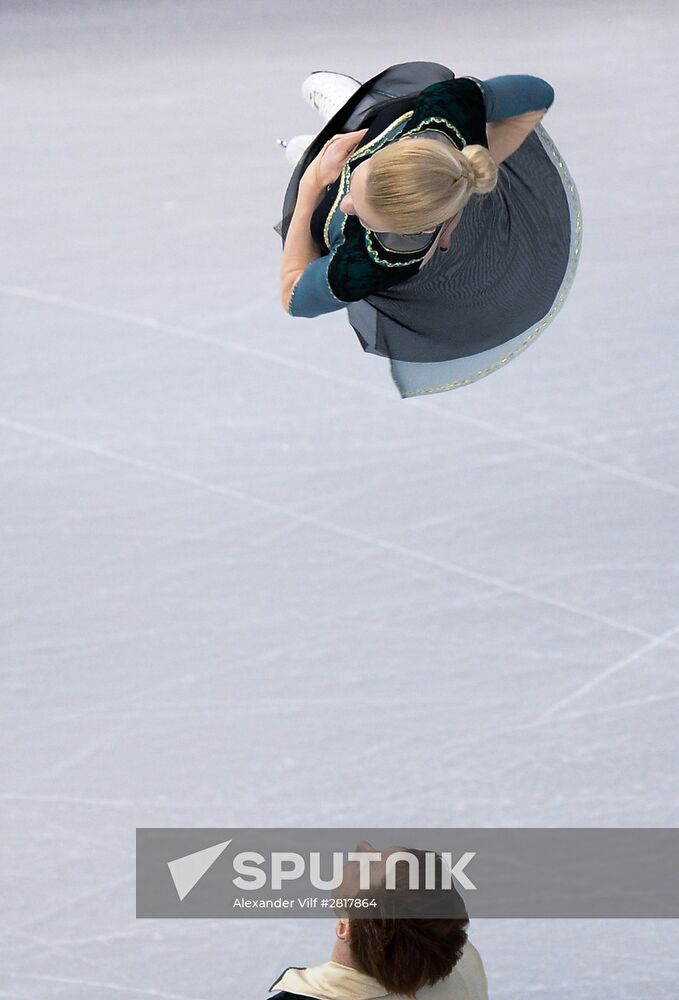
point(418, 184)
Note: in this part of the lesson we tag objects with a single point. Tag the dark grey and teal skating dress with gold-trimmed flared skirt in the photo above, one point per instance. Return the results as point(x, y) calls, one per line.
point(513, 256)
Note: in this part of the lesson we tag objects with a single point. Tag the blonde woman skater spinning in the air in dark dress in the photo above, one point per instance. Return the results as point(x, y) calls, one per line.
point(438, 212)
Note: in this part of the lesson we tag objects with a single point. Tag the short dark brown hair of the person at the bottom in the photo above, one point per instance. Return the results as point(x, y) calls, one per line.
point(405, 954)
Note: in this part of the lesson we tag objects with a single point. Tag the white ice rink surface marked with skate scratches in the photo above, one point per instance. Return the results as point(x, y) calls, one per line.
point(244, 583)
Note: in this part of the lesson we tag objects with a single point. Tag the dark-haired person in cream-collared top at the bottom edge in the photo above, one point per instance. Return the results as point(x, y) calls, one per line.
point(416, 946)
